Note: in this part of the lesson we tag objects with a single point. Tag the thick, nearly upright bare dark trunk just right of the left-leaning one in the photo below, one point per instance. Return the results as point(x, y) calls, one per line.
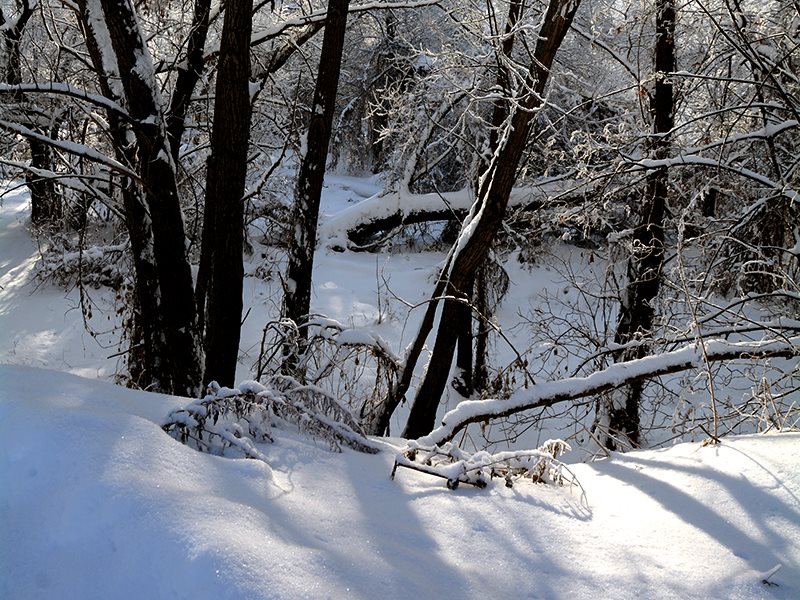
point(227, 170)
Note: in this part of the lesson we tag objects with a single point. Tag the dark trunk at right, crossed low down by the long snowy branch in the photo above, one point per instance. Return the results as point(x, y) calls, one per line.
point(637, 312)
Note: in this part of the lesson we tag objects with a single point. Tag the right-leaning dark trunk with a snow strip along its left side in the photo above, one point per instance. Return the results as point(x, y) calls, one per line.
point(486, 217)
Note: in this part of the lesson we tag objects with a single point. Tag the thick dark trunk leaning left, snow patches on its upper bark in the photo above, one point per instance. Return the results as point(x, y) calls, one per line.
point(167, 309)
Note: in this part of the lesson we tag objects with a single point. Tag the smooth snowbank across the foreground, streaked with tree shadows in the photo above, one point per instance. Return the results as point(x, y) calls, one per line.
point(97, 502)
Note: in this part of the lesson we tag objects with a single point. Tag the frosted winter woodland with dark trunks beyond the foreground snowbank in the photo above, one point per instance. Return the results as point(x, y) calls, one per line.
point(491, 235)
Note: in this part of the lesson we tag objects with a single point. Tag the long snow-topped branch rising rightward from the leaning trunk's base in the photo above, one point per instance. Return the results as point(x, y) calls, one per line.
point(615, 376)
